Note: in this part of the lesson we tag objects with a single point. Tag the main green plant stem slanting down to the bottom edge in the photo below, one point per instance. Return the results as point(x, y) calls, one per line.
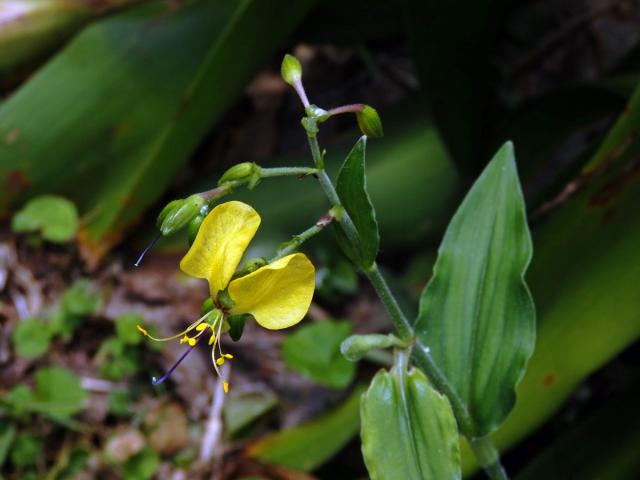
point(484, 449)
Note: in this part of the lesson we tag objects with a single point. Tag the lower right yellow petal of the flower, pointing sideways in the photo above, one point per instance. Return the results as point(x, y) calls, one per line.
point(278, 295)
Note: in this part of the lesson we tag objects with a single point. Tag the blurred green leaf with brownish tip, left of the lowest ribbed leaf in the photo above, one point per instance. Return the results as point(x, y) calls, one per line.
point(309, 445)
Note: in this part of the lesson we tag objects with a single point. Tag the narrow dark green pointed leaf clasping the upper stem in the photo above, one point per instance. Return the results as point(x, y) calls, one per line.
point(352, 190)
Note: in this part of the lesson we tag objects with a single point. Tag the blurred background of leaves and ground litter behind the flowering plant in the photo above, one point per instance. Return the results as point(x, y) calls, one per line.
point(110, 108)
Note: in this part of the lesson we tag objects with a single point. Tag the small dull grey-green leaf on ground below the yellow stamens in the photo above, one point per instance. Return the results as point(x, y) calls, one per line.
point(242, 408)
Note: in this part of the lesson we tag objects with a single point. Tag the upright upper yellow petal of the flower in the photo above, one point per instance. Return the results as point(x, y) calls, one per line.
point(221, 241)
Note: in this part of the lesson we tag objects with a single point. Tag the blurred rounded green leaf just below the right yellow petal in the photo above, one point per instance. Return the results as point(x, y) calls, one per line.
point(314, 351)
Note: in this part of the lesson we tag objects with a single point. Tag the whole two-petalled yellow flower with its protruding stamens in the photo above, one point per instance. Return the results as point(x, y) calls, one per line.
point(277, 295)
